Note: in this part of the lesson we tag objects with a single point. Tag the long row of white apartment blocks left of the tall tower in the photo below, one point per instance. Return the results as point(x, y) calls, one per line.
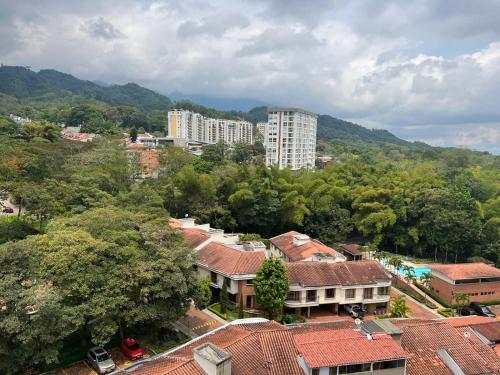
point(195, 127)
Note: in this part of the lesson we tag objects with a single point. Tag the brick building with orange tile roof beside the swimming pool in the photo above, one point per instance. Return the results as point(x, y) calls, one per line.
point(479, 281)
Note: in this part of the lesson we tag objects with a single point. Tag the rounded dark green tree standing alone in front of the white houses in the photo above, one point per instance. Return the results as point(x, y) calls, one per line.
point(271, 286)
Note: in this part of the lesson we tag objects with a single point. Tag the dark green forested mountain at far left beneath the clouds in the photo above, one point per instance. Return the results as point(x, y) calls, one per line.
point(20, 82)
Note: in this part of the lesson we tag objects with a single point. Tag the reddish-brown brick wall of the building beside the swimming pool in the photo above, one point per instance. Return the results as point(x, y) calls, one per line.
point(478, 292)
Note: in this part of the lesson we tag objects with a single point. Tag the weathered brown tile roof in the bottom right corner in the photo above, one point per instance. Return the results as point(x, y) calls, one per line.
point(424, 340)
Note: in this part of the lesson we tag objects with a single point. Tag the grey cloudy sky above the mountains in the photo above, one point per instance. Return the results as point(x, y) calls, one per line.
point(426, 70)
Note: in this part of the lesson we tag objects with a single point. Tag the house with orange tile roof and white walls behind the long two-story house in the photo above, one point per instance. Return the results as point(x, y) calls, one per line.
point(294, 247)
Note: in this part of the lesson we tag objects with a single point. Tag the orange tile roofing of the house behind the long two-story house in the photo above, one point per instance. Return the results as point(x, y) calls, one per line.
point(284, 242)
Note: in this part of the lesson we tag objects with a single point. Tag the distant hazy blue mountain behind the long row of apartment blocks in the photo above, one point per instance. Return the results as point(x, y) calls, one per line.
point(221, 104)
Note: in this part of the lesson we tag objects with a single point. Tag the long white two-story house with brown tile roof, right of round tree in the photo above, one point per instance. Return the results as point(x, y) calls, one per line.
point(315, 285)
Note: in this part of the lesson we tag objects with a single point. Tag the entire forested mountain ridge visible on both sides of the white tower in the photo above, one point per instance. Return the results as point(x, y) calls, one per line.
point(21, 89)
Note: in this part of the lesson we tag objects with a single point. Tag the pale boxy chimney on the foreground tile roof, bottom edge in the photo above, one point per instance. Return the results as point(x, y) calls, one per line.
point(212, 359)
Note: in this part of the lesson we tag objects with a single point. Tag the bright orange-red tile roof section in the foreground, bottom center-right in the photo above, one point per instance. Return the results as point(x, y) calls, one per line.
point(346, 346)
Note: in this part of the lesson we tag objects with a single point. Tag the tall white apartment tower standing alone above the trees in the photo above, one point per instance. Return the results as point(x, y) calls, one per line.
point(290, 138)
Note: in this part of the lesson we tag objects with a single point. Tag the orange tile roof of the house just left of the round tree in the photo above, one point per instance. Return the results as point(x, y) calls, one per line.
point(228, 260)
